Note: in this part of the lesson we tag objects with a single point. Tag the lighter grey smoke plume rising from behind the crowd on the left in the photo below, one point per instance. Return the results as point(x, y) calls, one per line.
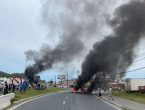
point(75, 22)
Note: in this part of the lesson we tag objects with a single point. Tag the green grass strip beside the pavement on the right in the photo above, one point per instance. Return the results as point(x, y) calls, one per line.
point(136, 96)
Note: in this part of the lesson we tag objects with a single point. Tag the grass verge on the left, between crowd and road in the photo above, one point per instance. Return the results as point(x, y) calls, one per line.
point(33, 92)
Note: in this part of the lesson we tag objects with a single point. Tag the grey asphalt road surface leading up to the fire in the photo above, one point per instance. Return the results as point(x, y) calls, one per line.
point(66, 101)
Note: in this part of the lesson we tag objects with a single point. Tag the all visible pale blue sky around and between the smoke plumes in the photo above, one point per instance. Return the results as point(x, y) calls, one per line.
point(21, 29)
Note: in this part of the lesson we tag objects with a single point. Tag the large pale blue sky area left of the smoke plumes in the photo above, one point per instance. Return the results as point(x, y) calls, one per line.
point(20, 30)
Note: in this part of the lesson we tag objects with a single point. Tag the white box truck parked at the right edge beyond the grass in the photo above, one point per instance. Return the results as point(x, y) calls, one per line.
point(134, 84)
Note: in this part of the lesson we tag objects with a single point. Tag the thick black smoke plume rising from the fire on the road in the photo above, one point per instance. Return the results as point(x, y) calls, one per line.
point(115, 53)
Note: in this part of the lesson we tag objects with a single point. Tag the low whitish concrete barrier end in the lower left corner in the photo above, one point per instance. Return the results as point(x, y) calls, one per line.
point(5, 100)
